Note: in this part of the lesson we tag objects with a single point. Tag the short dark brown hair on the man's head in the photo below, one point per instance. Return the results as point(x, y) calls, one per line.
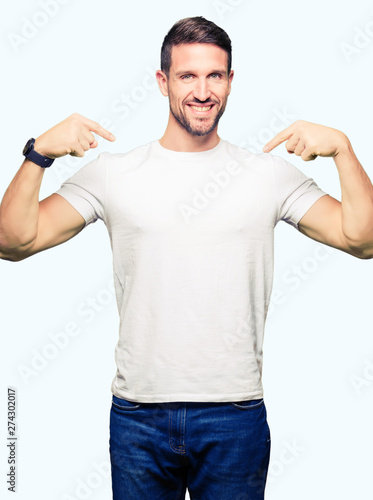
point(194, 30)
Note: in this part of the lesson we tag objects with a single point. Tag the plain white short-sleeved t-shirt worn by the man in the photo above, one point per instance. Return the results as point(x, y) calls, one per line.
point(192, 240)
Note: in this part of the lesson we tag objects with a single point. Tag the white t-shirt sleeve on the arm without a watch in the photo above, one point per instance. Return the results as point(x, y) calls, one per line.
point(296, 192)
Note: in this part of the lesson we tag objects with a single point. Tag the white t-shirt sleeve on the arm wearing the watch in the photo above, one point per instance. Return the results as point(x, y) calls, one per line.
point(85, 190)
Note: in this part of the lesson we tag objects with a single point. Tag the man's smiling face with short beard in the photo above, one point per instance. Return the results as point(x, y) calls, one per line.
point(198, 86)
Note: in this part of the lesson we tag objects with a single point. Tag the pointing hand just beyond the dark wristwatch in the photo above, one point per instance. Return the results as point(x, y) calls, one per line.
point(73, 136)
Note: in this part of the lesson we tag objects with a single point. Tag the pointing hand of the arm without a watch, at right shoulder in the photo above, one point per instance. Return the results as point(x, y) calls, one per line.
point(309, 140)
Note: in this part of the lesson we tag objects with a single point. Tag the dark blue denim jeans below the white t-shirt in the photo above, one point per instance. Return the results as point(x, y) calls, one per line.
point(219, 451)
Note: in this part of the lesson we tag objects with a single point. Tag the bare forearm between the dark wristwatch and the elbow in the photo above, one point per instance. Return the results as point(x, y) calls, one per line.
point(19, 209)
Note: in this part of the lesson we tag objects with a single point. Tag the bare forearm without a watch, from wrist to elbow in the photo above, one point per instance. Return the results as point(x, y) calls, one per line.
point(357, 199)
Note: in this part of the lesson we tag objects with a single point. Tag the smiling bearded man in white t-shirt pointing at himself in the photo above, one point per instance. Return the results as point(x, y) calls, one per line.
point(191, 219)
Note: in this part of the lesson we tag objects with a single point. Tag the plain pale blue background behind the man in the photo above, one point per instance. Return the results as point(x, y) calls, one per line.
point(296, 60)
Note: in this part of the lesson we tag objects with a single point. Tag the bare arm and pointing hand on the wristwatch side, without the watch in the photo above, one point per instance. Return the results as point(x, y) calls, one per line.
point(28, 226)
